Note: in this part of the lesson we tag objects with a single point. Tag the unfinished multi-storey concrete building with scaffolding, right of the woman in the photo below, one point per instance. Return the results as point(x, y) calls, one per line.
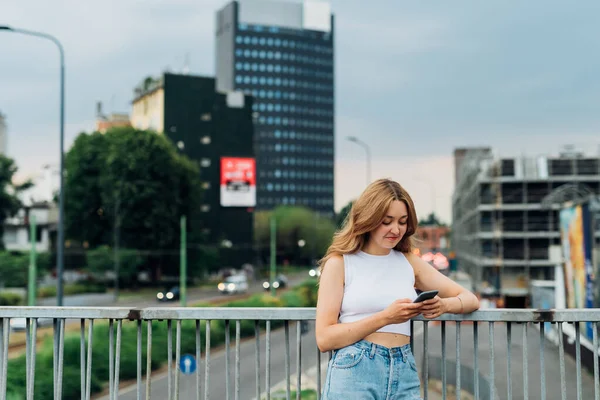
point(505, 218)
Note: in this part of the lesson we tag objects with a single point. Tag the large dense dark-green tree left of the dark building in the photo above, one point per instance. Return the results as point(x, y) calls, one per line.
point(129, 185)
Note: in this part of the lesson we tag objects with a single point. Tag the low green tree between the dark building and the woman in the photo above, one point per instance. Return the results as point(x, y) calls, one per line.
point(294, 225)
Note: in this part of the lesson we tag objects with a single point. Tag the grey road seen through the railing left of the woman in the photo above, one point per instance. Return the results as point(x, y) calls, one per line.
point(217, 375)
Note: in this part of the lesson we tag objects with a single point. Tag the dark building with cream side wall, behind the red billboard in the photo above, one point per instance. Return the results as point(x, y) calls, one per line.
point(205, 125)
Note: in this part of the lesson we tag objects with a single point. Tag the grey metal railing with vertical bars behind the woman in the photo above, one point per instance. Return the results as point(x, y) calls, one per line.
point(523, 353)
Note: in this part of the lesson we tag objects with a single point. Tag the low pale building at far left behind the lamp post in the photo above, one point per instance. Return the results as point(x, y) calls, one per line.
point(17, 229)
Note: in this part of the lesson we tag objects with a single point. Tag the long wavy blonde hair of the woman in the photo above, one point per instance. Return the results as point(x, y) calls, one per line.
point(367, 213)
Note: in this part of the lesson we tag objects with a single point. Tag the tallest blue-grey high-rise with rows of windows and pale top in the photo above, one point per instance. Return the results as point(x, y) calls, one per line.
point(282, 53)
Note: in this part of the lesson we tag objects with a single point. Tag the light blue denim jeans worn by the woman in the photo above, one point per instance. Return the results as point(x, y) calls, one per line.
point(365, 370)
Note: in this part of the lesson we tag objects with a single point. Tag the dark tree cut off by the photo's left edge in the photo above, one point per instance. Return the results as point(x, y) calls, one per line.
point(9, 192)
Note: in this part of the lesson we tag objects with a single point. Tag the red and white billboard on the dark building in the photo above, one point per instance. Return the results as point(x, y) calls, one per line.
point(238, 182)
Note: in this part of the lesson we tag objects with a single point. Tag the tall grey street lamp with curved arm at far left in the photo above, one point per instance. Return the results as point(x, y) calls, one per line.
point(61, 208)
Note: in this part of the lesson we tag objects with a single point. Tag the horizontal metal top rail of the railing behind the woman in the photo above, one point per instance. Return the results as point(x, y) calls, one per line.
point(299, 314)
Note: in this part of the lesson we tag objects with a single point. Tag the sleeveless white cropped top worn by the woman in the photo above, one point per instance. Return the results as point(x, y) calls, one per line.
point(372, 283)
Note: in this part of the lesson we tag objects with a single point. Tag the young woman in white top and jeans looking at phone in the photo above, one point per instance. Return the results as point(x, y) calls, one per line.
point(366, 292)
